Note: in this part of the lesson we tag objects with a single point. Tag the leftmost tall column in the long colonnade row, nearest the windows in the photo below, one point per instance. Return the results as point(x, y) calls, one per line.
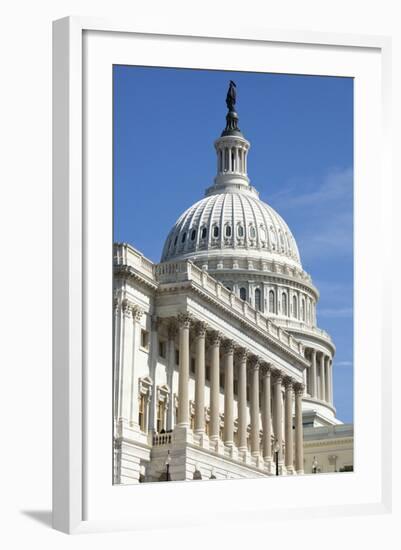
point(184, 321)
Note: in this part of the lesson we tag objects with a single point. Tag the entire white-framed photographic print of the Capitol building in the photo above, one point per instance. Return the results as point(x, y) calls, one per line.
point(212, 212)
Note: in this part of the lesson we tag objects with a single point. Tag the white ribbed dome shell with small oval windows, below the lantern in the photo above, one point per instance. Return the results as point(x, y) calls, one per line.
point(235, 224)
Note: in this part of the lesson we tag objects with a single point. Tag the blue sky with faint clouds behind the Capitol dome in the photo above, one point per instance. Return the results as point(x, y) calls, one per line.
point(301, 162)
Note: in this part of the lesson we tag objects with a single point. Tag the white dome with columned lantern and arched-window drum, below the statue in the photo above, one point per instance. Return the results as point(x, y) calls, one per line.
point(242, 241)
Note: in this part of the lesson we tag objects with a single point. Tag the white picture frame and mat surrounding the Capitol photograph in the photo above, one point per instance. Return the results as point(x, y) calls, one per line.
point(83, 49)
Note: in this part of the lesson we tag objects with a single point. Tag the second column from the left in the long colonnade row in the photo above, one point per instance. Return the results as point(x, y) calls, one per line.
point(200, 335)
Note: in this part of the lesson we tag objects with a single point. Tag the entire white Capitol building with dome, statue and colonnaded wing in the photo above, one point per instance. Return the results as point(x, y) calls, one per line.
point(218, 361)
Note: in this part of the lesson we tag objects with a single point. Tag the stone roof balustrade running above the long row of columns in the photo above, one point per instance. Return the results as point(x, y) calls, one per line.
point(173, 272)
